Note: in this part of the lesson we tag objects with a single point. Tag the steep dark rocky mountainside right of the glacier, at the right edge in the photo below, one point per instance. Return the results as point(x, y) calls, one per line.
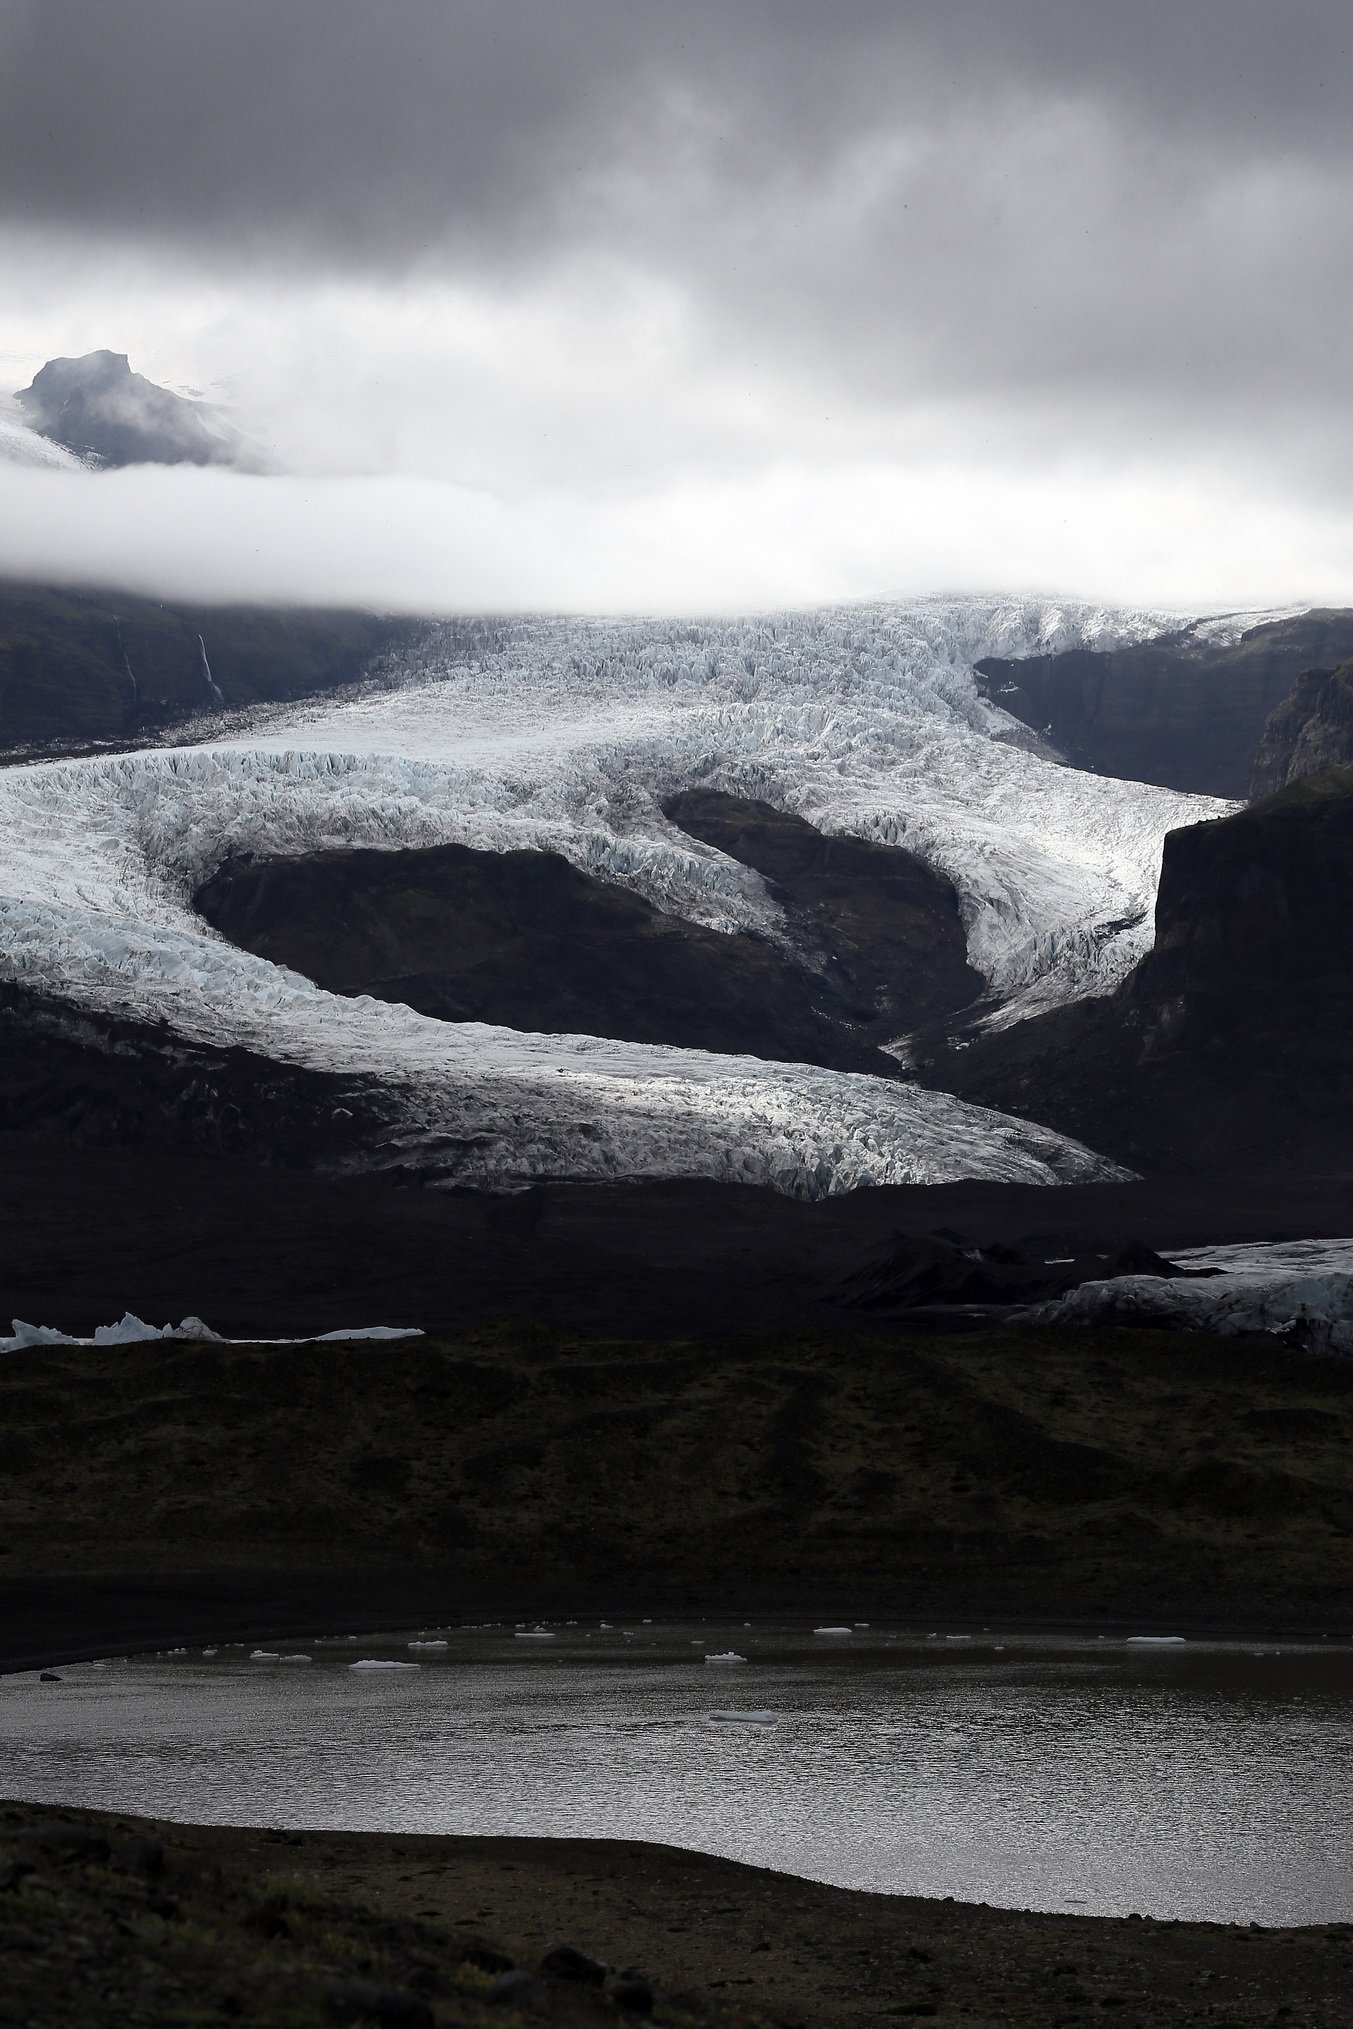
point(1234, 1040)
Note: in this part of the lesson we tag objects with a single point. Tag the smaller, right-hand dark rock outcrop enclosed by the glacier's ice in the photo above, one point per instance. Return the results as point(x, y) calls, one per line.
point(883, 928)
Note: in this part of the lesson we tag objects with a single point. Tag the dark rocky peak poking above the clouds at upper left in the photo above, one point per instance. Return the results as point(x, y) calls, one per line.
point(104, 413)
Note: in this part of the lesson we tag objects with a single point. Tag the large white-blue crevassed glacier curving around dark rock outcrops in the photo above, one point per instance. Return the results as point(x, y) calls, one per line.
point(569, 736)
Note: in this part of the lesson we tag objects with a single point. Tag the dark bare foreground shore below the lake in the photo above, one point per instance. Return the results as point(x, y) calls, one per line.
point(113, 1920)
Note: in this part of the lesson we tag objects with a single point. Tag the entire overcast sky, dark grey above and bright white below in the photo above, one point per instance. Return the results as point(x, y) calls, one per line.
point(624, 303)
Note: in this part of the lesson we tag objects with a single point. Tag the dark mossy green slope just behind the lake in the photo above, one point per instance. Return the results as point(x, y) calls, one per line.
point(1029, 1472)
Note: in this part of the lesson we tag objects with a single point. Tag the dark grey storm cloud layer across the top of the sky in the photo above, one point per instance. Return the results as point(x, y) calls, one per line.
point(1058, 200)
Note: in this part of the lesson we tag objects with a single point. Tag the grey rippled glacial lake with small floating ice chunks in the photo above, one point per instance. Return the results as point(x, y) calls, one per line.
point(1056, 1774)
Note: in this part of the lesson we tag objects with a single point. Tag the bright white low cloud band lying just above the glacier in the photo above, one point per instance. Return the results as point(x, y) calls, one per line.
point(774, 539)
